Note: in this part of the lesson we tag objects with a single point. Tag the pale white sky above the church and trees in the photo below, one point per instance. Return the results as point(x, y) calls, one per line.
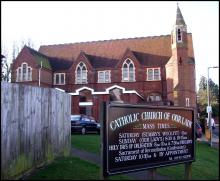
point(59, 22)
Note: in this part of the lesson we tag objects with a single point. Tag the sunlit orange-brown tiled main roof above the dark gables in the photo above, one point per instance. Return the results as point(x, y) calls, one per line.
point(114, 49)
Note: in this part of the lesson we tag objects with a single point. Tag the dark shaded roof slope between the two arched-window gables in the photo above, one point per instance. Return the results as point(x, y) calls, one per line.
point(101, 62)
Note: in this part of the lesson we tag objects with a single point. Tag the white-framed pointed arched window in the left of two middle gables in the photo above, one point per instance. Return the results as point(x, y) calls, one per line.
point(81, 73)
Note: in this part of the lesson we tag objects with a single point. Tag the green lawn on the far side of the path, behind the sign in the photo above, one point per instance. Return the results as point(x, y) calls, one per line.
point(206, 166)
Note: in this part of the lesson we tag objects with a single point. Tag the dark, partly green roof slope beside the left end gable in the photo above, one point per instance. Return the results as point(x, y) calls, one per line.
point(50, 63)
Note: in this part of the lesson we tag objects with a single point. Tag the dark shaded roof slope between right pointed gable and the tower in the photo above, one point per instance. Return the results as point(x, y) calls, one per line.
point(147, 59)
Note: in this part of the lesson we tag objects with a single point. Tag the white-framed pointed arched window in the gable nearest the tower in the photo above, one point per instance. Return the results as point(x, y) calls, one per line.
point(128, 71)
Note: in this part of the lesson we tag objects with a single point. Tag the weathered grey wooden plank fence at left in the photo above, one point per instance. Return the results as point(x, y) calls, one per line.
point(35, 127)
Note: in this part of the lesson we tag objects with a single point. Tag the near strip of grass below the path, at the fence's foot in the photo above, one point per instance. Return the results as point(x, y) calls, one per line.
point(71, 168)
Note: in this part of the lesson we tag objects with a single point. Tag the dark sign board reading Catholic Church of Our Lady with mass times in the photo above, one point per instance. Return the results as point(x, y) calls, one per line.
point(137, 137)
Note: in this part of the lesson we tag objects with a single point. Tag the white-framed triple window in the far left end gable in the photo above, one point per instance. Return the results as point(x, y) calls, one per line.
point(24, 73)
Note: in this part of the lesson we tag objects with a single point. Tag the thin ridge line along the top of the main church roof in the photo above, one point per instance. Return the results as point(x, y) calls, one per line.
point(96, 41)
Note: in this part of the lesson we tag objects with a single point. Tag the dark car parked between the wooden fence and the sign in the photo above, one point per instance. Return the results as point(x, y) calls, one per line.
point(84, 124)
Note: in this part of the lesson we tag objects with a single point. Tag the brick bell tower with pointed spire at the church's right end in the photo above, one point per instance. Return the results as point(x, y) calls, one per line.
point(180, 69)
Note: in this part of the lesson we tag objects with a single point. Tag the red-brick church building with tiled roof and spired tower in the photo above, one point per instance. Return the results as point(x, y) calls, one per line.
point(155, 70)
